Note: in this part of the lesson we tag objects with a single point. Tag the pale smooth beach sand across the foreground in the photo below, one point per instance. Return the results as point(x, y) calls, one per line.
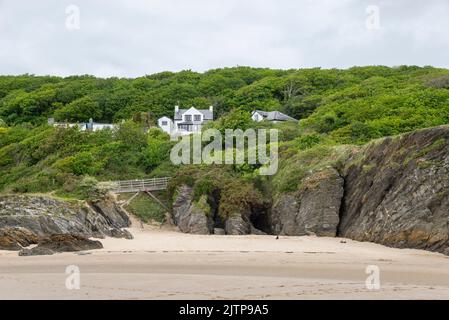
point(161, 264)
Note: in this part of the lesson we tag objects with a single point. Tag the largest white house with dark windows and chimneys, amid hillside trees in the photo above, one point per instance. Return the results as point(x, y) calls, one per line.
point(186, 121)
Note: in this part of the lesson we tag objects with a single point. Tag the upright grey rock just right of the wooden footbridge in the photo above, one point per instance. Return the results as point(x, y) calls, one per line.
point(189, 216)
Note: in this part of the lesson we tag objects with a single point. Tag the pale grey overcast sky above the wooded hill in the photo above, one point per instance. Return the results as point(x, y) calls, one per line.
point(130, 38)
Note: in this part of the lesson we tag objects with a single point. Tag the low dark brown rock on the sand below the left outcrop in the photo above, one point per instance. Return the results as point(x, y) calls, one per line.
point(62, 243)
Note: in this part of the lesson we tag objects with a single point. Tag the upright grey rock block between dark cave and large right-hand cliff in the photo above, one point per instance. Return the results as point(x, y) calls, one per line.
point(313, 210)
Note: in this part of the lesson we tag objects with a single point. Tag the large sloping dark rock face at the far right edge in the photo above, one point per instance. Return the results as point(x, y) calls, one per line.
point(397, 194)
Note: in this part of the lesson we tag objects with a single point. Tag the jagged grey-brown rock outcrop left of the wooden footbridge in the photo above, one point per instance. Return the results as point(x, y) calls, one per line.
point(26, 219)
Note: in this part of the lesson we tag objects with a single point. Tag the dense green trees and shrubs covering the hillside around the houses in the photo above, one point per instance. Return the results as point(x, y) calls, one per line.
point(337, 108)
